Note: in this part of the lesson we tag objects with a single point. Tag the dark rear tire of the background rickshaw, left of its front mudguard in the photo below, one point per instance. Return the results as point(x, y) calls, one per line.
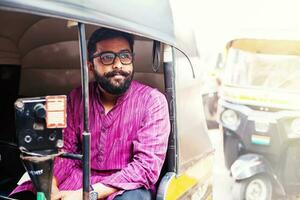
point(231, 150)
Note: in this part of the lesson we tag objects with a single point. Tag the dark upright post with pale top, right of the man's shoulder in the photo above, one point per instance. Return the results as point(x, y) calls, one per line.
point(169, 78)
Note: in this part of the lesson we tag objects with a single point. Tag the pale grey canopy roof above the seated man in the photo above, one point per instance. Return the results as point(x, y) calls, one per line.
point(152, 19)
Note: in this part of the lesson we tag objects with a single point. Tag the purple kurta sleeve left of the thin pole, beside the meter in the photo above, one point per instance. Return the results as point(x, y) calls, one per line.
point(63, 167)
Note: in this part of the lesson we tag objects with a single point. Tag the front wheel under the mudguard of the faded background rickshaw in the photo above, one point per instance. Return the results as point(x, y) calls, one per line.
point(258, 187)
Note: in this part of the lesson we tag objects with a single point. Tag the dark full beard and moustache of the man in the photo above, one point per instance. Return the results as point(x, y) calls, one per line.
point(114, 87)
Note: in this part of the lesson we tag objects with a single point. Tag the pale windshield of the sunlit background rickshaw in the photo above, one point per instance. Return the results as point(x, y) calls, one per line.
point(262, 70)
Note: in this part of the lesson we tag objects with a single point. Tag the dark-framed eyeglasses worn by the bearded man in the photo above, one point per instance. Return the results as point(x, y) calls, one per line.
point(108, 57)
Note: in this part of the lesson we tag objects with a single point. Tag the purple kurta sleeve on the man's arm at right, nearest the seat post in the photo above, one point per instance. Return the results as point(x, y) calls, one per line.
point(149, 148)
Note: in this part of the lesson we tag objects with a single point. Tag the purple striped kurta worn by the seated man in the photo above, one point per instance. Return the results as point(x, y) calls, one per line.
point(128, 144)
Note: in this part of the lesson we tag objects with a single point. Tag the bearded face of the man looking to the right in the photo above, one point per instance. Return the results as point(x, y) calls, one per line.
point(114, 78)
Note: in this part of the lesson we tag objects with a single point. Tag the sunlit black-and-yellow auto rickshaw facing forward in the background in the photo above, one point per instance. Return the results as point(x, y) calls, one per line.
point(259, 118)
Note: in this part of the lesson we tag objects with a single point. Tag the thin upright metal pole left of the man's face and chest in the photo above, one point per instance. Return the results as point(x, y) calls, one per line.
point(85, 96)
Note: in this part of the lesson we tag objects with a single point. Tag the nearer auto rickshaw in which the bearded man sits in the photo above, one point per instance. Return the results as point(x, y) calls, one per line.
point(43, 53)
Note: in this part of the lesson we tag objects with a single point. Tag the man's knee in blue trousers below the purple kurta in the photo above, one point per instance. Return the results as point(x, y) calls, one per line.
point(137, 194)
